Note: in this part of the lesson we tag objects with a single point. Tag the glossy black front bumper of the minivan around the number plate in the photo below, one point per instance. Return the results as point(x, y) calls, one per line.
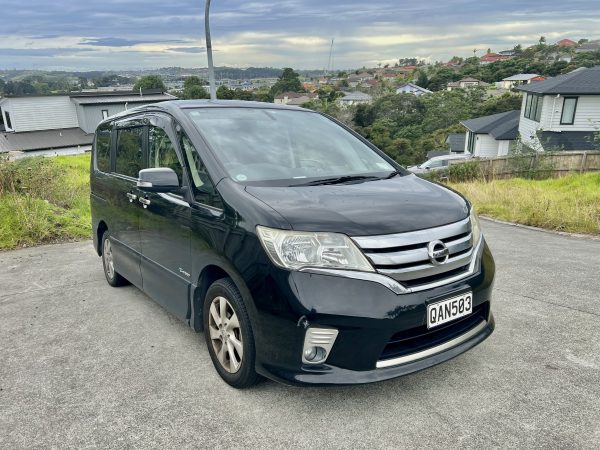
point(382, 334)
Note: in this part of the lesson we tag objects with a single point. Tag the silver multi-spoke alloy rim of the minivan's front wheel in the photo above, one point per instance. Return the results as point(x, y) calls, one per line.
point(226, 334)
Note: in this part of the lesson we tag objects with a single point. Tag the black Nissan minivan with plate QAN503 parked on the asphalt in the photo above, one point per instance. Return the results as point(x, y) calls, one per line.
point(304, 253)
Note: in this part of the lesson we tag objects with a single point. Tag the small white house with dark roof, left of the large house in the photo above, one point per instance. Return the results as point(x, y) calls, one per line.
point(493, 135)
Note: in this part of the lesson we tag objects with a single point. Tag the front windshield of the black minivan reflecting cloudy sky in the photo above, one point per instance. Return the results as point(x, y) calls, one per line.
point(283, 147)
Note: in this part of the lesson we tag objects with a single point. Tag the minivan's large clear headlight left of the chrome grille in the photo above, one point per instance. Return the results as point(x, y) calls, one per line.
point(297, 249)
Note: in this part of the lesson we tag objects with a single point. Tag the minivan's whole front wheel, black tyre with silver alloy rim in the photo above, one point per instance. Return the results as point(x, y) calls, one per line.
point(228, 334)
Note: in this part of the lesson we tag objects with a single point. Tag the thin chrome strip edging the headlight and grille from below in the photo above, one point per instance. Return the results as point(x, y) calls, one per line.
point(392, 284)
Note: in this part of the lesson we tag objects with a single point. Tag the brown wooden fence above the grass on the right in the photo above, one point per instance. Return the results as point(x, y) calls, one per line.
point(534, 165)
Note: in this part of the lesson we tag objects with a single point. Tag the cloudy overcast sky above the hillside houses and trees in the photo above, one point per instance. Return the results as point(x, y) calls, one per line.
point(134, 34)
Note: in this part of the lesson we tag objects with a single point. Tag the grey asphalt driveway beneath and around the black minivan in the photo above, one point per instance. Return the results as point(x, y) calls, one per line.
point(86, 365)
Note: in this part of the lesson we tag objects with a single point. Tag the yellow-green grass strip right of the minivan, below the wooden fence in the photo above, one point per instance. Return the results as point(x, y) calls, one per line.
point(571, 203)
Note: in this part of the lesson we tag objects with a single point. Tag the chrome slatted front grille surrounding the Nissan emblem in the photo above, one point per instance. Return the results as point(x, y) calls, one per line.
point(404, 256)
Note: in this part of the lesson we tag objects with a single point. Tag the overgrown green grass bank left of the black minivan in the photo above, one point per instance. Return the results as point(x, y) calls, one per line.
point(44, 200)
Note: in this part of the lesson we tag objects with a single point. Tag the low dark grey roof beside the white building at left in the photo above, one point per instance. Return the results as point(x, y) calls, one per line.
point(46, 139)
